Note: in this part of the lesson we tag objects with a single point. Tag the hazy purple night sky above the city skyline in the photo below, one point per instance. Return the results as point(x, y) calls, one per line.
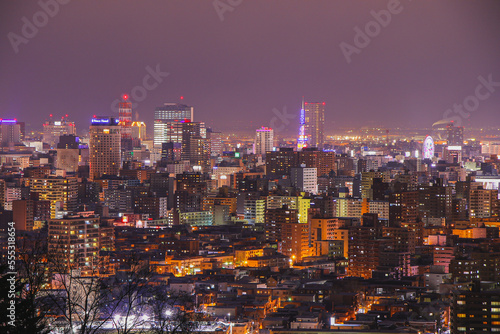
point(265, 54)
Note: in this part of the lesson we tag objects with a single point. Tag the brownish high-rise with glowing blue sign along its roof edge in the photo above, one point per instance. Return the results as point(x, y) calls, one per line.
point(105, 147)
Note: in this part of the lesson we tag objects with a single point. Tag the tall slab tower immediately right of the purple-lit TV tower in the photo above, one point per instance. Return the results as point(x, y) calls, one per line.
point(314, 114)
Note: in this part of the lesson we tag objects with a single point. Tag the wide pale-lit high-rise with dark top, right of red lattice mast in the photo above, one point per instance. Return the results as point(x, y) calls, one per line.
point(168, 122)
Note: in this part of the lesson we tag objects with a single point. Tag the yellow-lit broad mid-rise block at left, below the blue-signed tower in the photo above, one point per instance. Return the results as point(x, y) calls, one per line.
point(61, 192)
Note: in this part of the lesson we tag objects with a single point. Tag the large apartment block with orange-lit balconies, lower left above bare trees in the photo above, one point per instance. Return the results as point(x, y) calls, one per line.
point(76, 240)
